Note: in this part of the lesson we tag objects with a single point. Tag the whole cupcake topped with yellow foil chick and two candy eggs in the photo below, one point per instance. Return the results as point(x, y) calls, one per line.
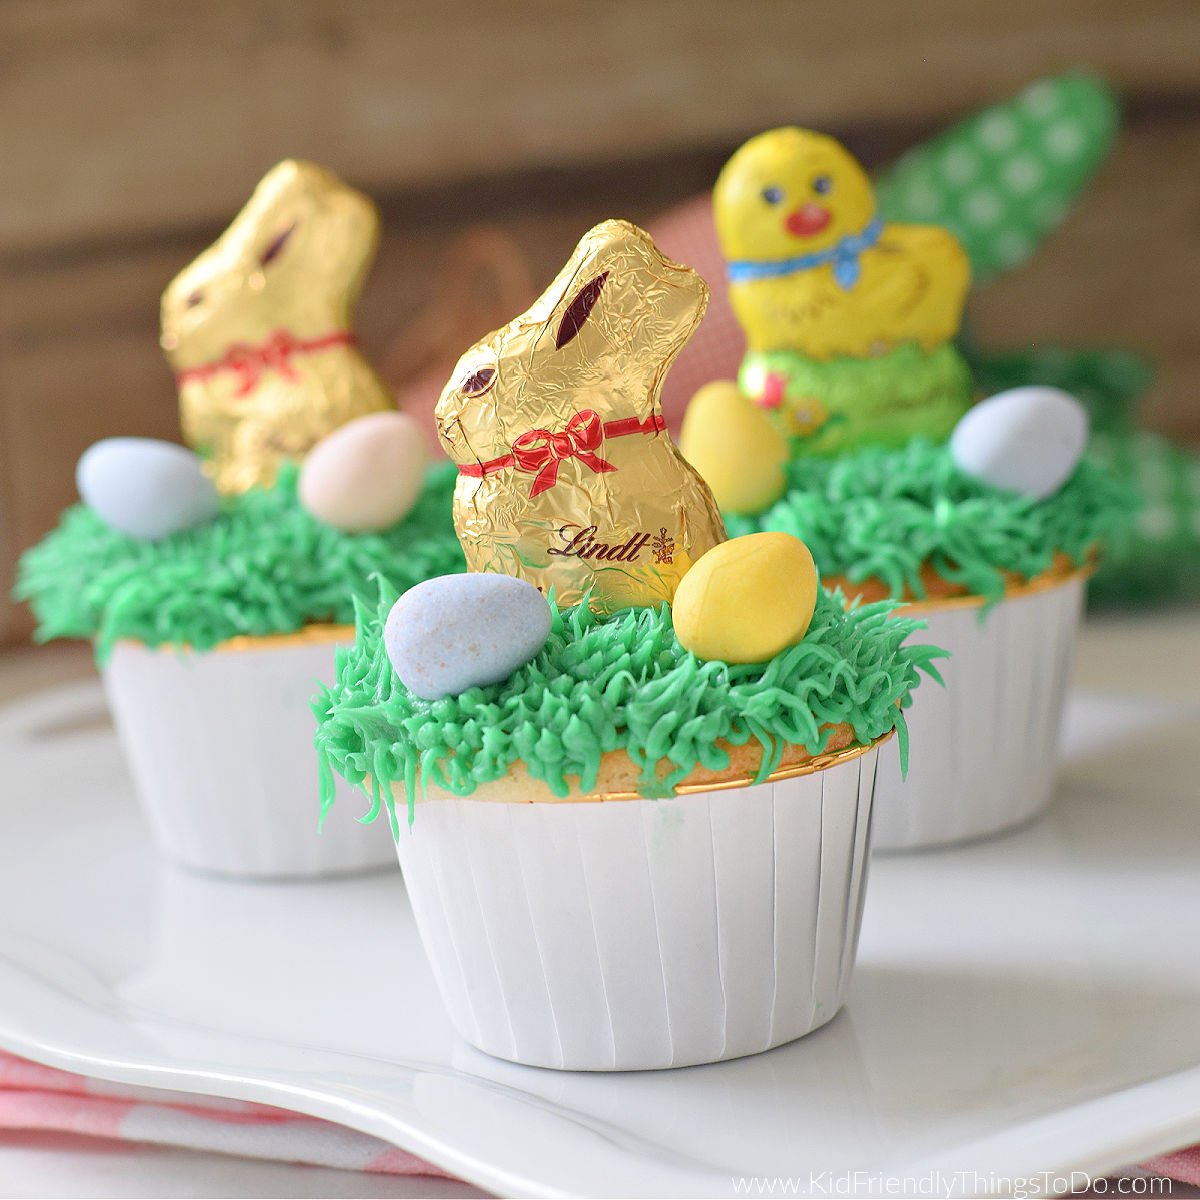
point(850, 428)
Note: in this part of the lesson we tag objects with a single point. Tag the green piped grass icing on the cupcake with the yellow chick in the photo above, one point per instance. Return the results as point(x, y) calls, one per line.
point(884, 513)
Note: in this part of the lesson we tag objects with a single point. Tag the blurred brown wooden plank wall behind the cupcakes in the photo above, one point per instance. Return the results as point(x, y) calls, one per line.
point(134, 130)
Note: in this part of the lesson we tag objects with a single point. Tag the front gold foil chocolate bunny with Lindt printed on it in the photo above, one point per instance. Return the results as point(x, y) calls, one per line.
point(568, 477)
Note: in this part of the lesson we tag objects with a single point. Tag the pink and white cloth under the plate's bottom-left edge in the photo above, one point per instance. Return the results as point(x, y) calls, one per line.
point(40, 1099)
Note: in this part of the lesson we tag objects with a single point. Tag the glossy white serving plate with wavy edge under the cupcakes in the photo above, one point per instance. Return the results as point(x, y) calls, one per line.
point(1021, 1006)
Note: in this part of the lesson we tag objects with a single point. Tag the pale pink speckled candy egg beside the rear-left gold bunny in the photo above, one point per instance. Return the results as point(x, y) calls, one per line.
point(367, 475)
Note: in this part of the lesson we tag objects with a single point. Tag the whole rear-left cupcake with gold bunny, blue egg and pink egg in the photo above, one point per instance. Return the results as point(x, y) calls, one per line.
point(217, 581)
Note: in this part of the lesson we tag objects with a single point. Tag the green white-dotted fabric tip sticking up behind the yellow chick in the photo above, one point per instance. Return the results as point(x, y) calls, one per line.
point(1004, 179)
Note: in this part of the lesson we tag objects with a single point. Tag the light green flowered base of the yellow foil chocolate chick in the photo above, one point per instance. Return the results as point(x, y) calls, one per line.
point(885, 400)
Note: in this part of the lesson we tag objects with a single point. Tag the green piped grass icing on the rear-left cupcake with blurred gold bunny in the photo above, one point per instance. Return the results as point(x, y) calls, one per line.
point(263, 567)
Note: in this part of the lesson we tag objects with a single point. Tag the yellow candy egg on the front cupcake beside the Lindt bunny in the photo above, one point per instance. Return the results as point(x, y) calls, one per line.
point(747, 599)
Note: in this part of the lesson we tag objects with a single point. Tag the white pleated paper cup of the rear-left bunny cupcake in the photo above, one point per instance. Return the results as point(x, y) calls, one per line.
point(220, 747)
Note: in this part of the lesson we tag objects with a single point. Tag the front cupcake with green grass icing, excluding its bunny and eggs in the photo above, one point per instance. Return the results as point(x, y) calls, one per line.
point(621, 856)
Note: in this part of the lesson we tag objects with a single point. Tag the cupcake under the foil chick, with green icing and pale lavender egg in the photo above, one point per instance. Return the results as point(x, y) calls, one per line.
point(989, 541)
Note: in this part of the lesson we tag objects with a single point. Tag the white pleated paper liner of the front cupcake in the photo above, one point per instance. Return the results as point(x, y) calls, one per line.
point(631, 935)
